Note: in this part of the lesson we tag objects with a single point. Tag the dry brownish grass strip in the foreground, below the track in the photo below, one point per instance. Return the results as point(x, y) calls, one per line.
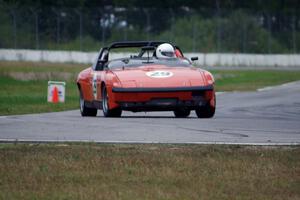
point(91, 171)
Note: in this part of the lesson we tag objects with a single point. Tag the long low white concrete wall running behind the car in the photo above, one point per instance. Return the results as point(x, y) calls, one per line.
point(209, 59)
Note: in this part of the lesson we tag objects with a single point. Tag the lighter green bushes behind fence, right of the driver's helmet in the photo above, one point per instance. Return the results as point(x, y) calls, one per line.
point(238, 33)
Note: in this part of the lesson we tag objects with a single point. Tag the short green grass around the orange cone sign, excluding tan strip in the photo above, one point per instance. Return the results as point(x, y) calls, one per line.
point(19, 97)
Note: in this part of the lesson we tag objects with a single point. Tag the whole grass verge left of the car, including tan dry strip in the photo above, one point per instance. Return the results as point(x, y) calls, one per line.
point(24, 86)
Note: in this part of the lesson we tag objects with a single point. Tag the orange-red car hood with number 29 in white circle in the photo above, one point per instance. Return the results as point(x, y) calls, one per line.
point(160, 76)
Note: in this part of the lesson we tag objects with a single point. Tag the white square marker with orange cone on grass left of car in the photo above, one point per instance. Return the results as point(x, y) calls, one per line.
point(56, 91)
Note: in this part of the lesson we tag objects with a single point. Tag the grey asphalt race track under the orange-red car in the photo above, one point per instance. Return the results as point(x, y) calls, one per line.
point(266, 117)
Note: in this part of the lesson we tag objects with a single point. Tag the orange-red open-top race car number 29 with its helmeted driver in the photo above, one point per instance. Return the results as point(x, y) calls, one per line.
point(155, 78)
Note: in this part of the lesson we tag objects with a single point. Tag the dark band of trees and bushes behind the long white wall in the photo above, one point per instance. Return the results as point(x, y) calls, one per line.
point(233, 30)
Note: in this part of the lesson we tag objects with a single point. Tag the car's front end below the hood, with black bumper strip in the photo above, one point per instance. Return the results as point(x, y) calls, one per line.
point(162, 99)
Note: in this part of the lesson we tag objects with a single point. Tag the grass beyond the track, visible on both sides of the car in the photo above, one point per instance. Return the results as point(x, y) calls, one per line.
point(24, 84)
